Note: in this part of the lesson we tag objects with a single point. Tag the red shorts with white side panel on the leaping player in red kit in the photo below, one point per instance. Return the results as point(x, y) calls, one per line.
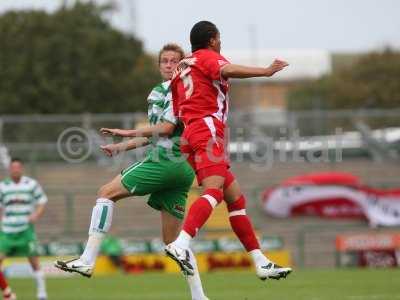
point(203, 142)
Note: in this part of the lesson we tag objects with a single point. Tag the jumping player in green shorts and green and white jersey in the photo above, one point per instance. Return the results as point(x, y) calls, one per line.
point(164, 174)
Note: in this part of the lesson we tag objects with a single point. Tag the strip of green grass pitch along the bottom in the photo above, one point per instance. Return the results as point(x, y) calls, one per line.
point(301, 285)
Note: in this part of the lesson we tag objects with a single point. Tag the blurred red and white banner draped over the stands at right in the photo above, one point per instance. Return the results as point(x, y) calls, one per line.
point(333, 195)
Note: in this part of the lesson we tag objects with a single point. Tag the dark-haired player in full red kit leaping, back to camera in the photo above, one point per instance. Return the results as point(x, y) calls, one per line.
point(200, 99)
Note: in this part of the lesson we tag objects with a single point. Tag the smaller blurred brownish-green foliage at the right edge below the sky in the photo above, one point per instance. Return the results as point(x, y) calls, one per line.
point(371, 82)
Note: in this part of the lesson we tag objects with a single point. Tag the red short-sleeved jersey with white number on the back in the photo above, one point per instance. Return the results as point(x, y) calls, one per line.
point(198, 89)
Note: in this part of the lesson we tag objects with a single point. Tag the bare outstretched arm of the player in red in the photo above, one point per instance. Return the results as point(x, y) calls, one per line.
point(239, 71)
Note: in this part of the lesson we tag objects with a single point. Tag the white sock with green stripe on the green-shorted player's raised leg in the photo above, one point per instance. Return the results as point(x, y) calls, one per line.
point(100, 224)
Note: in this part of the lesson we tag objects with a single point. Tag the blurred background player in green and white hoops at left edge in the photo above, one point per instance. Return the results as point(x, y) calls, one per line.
point(22, 202)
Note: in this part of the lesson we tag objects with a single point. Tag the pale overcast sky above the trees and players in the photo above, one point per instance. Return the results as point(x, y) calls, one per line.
point(336, 25)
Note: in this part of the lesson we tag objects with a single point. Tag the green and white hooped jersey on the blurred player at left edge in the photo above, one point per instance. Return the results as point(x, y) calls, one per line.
point(18, 201)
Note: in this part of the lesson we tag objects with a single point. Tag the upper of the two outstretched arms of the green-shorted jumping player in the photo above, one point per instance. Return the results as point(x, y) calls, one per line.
point(160, 129)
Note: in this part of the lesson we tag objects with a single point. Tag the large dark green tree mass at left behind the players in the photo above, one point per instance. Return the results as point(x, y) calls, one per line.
point(71, 61)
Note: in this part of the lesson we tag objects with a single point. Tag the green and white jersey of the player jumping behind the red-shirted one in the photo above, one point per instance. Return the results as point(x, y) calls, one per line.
point(160, 110)
